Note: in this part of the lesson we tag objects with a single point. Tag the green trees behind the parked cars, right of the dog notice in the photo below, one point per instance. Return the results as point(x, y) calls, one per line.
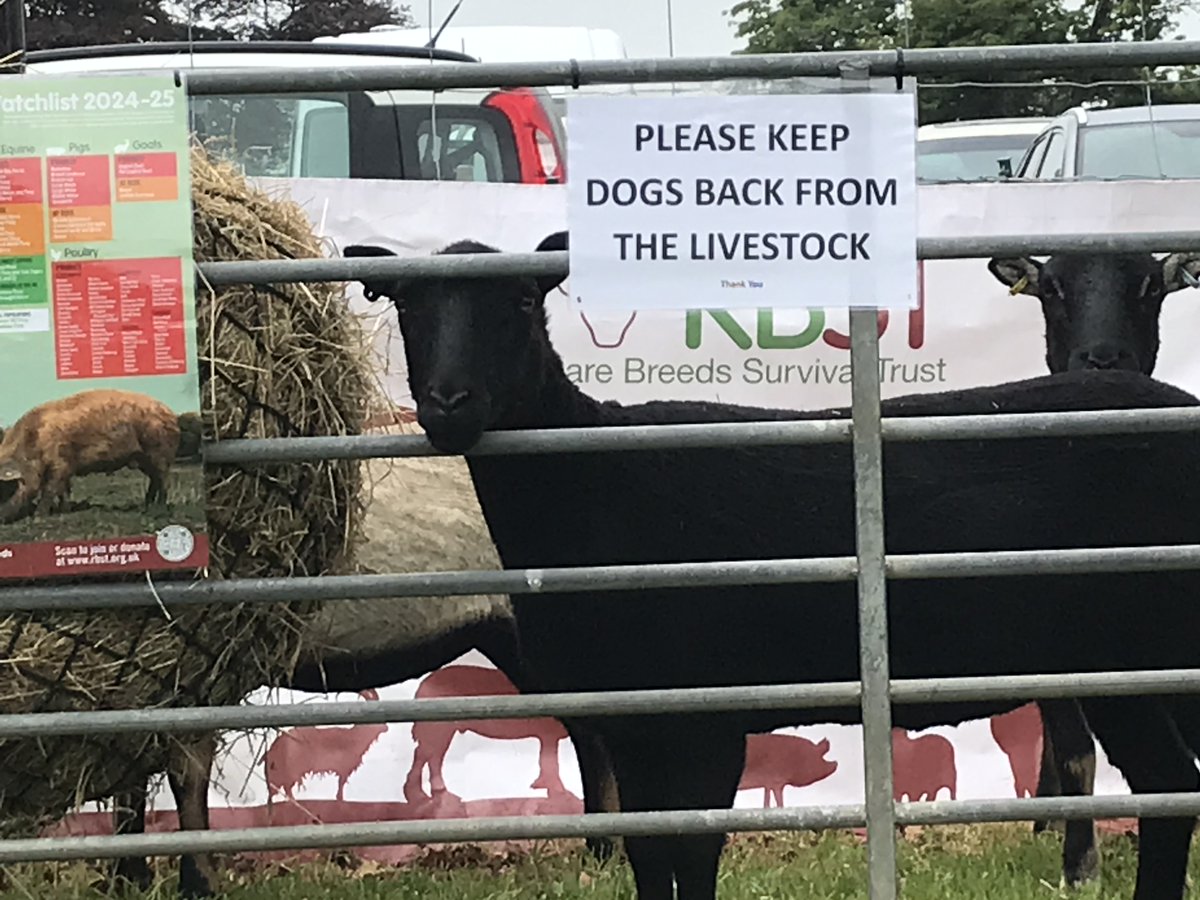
point(795, 26)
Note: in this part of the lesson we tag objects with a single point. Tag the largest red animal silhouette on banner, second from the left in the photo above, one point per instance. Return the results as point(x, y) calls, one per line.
point(434, 739)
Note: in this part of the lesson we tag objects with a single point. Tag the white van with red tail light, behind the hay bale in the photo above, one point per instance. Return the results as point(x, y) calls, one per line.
point(463, 135)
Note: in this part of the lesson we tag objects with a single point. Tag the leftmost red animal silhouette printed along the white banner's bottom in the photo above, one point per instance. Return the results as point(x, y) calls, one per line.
point(299, 753)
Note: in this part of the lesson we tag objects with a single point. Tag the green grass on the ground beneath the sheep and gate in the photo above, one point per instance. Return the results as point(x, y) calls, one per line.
point(965, 863)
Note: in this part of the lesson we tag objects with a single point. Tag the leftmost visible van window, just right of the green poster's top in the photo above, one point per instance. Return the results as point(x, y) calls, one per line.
point(277, 135)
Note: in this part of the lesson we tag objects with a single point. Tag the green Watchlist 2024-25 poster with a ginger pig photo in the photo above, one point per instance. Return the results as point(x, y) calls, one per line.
point(99, 461)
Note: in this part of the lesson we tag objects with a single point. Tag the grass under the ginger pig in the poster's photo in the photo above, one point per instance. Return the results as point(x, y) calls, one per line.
point(111, 506)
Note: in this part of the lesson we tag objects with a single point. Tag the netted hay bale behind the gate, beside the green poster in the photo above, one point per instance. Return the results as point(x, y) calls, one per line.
point(275, 362)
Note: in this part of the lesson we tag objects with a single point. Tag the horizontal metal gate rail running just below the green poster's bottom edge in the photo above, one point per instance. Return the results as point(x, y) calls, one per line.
point(1185, 557)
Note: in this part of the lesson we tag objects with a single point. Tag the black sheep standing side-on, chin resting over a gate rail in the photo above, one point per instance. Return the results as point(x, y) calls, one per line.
point(479, 358)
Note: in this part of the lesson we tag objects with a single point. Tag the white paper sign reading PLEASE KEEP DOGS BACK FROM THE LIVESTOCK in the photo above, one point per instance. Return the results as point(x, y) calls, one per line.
point(757, 202)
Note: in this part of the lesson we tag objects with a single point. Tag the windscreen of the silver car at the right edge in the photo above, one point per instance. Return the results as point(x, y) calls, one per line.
point(1163, 149)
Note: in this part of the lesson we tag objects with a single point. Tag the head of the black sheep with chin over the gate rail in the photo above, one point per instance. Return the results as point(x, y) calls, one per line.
point(473, 345)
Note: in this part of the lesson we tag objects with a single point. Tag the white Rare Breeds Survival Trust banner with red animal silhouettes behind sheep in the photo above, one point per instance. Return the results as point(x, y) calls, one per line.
point(967, 332)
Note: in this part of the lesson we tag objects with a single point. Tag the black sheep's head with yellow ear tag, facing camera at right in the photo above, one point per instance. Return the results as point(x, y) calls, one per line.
point(1101, 310)
